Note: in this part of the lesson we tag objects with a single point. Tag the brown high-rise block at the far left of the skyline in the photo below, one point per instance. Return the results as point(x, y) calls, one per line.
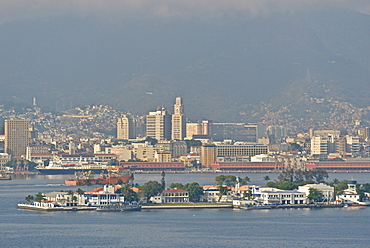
point(17, 136)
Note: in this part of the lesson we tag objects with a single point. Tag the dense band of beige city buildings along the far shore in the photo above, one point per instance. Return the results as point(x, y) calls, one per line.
point(164, 141)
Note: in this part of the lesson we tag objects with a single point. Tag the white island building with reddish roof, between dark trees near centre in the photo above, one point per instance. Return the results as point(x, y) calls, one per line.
point(175, 196)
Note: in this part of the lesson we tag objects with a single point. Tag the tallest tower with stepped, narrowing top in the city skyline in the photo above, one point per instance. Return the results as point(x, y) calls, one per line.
point(178, 121)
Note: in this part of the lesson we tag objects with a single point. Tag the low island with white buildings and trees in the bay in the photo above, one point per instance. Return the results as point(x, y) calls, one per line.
point(295, 189)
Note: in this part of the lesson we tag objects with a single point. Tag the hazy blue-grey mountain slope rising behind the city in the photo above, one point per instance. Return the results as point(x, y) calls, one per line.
point(223, 68)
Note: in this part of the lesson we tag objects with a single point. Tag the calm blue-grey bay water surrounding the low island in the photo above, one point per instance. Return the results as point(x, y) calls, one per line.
point(345, 227)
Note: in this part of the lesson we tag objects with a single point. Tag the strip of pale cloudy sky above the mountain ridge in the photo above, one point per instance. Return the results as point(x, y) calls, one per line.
point(11, 10)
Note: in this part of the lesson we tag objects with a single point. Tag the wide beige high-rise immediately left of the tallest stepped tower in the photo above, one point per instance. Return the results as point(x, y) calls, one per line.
point(158, 125)
